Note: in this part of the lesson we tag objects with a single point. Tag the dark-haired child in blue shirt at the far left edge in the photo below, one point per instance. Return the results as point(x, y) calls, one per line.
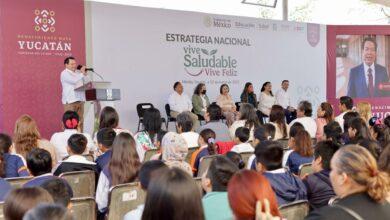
point(10, 165)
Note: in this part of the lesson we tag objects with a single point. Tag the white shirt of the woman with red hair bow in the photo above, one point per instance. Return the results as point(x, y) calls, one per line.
point(60, 142)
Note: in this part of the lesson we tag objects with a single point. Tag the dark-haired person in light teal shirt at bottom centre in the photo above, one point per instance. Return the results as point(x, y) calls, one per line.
point(215, 182)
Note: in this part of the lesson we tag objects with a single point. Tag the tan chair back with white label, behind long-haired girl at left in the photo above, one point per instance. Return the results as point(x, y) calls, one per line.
point(124, 198)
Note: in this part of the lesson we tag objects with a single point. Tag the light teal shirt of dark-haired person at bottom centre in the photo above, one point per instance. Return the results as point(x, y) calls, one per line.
point(216, 206)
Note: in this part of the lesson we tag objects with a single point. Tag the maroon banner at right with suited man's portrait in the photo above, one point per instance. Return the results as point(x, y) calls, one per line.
point(358, 65)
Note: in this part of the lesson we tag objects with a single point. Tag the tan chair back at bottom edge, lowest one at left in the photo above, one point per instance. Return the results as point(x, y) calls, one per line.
point(83, 208)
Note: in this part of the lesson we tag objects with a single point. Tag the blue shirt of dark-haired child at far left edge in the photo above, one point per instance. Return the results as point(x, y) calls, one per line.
point(14, 166)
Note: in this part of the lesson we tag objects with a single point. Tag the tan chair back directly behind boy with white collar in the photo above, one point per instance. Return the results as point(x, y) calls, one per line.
point(82, 182)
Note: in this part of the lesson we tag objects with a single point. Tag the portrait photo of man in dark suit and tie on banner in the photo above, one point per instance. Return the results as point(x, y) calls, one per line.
point(362, 66)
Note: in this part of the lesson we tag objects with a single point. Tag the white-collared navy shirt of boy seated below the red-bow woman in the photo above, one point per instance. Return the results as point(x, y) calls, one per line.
point(75, 163)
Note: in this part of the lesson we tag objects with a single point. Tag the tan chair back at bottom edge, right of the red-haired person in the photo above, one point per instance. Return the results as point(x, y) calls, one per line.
point(297, 210)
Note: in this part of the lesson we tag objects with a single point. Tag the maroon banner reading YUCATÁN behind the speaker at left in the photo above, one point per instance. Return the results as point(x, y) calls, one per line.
point(36, 36)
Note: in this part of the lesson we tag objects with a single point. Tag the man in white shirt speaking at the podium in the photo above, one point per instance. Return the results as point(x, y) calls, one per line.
point(71, 79)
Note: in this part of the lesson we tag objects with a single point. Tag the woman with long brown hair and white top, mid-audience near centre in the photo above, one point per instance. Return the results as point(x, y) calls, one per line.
point(248, 118)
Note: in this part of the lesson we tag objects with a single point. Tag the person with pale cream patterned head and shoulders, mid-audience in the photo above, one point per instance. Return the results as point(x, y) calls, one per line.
point(174, 151)
